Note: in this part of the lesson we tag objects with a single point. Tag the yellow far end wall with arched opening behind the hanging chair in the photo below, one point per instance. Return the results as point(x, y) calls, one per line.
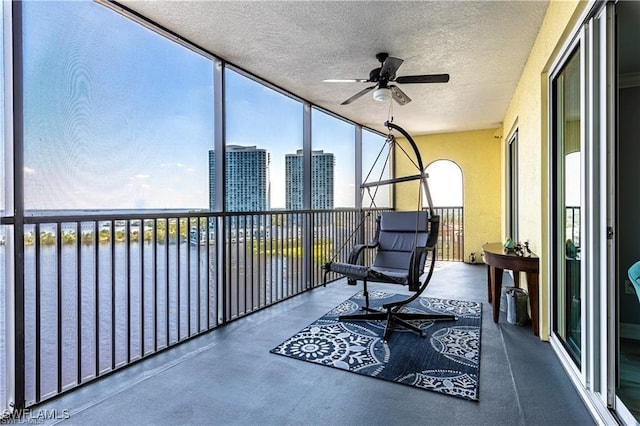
point(477, 153)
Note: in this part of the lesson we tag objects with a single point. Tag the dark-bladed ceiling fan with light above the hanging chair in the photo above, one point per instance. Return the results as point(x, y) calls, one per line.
point(386, 74)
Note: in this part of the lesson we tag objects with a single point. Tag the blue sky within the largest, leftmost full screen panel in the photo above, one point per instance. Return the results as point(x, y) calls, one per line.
point(115, 118)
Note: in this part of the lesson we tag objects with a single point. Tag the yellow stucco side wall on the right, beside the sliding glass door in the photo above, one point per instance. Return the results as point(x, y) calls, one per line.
point(528, 112)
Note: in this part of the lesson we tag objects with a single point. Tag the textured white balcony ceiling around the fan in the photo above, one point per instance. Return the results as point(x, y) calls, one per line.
point(483, 45)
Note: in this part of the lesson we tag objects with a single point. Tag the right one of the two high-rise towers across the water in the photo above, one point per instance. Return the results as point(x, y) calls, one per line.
point(322, 165)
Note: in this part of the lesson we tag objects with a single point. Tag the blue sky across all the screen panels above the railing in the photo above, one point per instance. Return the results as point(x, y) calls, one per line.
point(117, 116)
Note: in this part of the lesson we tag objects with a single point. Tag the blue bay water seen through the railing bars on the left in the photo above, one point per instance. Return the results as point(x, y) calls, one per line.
point(98, 306)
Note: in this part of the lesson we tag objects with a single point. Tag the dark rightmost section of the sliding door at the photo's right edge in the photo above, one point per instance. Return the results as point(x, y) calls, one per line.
point(627, 205)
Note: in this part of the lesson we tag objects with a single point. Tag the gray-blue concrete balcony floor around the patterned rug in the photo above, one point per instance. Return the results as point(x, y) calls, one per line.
point(228, 376)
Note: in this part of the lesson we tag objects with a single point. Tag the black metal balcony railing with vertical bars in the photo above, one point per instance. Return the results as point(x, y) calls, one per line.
point(105, 290)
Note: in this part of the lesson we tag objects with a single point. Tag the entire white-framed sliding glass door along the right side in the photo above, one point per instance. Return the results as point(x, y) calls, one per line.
point(594, 208)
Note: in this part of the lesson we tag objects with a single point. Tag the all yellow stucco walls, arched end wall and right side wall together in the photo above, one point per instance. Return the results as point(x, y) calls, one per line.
point(481, 156)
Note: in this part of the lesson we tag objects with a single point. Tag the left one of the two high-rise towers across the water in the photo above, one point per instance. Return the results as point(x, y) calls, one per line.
point(247, 187)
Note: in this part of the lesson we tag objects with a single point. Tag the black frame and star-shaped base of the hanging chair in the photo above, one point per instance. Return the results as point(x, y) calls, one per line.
point(393, 312)
